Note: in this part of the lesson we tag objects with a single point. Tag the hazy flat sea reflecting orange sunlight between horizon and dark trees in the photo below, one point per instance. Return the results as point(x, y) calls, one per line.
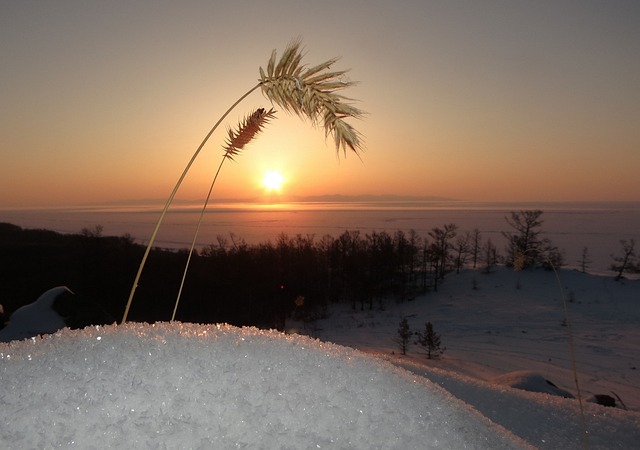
point(572, 226)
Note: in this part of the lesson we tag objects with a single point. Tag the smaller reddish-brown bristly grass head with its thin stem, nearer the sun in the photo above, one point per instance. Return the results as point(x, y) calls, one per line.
point(247, 130)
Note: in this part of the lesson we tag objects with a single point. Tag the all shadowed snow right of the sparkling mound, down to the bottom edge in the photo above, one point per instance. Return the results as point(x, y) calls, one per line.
point(500, 323)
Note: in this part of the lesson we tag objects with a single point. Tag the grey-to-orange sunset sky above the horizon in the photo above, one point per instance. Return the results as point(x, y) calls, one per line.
point(105, 102)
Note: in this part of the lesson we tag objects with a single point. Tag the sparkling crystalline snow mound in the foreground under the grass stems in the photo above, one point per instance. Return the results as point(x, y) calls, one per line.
point(178, 385)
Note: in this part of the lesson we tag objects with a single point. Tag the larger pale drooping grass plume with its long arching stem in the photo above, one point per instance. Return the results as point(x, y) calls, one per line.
point(308, 92)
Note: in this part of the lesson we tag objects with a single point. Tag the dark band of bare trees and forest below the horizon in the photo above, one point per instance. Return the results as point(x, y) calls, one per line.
point(264, 284)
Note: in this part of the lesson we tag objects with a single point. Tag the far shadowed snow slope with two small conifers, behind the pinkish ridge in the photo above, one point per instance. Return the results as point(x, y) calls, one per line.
point(505, 321)
